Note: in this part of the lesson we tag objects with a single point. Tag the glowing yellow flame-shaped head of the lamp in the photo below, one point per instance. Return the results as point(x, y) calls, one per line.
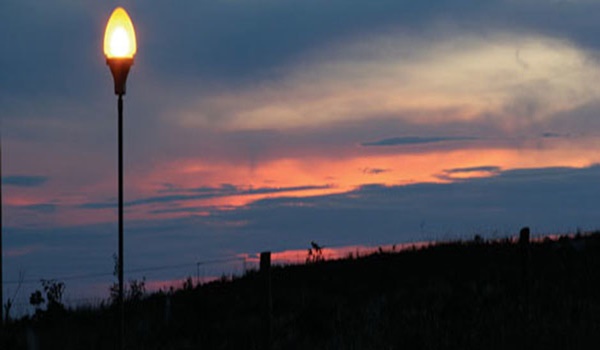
point(119, 37)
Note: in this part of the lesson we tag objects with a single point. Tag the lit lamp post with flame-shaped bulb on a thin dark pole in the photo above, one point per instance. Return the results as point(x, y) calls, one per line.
point(119, 48)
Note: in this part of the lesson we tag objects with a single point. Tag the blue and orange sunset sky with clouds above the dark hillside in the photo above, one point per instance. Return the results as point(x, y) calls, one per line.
point(254, 125)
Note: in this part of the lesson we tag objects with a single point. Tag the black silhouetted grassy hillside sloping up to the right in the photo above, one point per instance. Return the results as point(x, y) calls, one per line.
point(459, 295)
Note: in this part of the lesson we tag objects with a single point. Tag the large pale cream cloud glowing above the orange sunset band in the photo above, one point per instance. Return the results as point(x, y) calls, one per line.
point(401, 77)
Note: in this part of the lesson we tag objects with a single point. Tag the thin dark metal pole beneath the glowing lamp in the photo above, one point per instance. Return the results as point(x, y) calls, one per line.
point(120, 272)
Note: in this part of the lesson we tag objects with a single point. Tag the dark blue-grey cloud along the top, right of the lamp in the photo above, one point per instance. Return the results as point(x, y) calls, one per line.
point(236, 41)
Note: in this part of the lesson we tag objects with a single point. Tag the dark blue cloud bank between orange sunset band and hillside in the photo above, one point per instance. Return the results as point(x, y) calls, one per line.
point(549, 200)
